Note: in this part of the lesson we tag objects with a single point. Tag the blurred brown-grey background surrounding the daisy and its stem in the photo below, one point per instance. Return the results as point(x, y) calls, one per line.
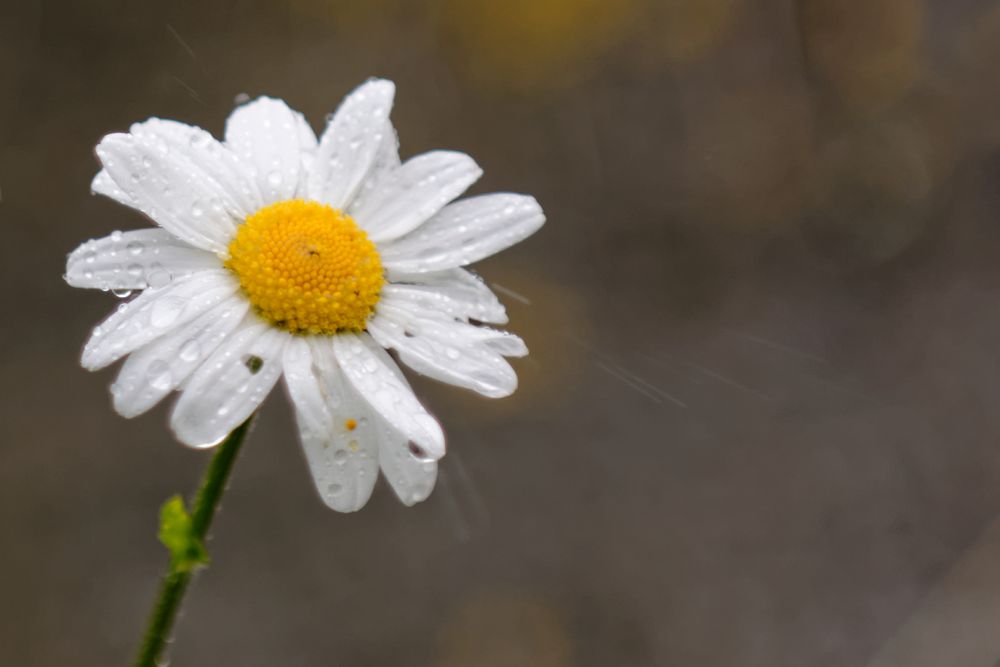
point(759, 423)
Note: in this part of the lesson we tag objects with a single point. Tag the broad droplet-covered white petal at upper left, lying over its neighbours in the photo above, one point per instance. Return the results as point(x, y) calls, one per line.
point(168, 187)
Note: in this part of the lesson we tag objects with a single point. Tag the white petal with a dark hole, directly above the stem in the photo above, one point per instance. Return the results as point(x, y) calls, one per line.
point(229, 385)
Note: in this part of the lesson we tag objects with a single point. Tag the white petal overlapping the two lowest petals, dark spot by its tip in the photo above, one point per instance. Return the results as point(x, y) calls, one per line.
point(370, 371)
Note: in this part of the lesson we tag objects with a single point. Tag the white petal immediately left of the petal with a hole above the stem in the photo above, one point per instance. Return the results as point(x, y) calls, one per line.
point(154, 371)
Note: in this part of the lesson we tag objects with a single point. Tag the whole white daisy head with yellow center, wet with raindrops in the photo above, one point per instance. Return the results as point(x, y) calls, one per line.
point(277, 255)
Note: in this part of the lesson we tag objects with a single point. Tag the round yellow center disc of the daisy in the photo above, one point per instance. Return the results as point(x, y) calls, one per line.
point(307, 268)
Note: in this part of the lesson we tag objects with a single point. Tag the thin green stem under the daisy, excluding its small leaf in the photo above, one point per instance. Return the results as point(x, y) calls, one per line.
point(177, 579)
